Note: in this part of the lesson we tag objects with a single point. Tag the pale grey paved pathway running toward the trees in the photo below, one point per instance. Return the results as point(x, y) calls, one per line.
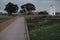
point(15, 31)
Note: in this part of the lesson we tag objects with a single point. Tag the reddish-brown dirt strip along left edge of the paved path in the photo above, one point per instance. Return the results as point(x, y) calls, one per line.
point(6, 23)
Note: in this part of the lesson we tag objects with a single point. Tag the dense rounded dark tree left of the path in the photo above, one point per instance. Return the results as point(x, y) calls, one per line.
point(11, 8)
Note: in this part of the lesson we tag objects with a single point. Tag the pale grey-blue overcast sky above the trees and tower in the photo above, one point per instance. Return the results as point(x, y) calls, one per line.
point(39, 4)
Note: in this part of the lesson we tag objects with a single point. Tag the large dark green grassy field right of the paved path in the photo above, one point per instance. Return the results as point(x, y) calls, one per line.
point(44, 28)
